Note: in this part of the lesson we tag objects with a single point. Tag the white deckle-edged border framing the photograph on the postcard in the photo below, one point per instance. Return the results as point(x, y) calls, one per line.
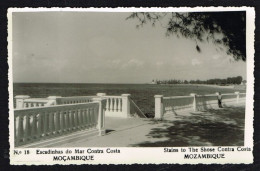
point(144, 155)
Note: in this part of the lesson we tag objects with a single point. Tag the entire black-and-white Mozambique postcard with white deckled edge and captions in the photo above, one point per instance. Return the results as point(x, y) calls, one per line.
point(104, 81)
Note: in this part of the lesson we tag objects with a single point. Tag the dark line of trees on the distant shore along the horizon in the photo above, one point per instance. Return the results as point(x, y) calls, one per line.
point(216, 81)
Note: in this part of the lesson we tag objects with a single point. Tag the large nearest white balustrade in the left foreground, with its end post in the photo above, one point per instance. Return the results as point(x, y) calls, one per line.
point(34, 124)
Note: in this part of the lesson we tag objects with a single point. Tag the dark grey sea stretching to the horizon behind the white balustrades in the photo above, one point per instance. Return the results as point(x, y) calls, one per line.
point(142, 94)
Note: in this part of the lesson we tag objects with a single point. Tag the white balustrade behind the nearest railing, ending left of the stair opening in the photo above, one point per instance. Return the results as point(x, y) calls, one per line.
point(116, 106)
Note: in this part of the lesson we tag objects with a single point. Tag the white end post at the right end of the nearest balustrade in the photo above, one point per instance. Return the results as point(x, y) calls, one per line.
point(101, 115)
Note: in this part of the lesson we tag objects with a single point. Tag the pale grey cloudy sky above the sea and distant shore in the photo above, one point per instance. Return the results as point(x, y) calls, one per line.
point(99, 47)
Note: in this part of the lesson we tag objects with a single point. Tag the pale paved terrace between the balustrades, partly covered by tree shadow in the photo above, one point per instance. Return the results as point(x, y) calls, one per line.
point(185, 128)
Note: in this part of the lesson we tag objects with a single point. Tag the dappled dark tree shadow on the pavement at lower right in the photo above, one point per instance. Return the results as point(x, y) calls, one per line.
point(216, 127)
